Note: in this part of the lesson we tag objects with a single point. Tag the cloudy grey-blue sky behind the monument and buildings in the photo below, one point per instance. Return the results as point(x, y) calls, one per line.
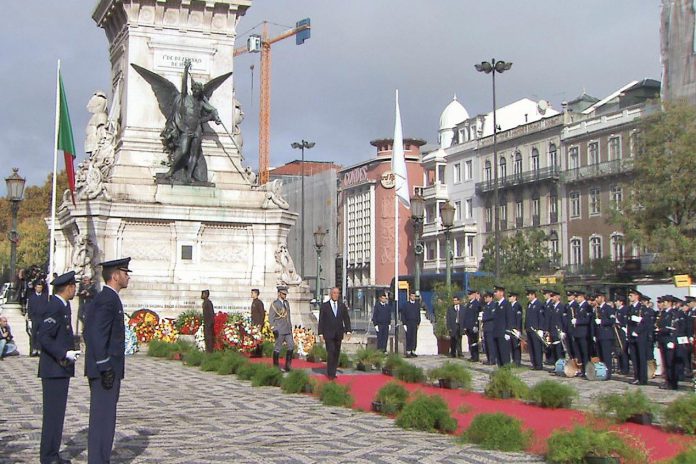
point(338, 88)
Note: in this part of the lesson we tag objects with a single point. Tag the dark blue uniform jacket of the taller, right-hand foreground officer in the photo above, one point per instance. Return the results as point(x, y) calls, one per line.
point(105, 335)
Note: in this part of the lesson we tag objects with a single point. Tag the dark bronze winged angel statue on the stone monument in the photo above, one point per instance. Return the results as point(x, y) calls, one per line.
point(186, 114)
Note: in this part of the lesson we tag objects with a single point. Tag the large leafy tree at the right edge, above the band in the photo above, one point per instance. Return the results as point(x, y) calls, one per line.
point(660, 211)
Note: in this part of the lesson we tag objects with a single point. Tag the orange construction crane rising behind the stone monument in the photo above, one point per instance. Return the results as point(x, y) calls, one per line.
point(262, 44)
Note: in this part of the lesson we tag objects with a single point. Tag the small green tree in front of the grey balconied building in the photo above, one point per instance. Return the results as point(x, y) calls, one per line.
point(523, 253)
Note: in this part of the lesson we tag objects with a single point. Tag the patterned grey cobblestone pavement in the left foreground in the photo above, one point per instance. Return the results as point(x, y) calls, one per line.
point(170, 413)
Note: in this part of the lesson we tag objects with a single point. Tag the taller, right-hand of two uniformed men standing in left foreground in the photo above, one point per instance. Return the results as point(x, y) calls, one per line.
point(105, 365)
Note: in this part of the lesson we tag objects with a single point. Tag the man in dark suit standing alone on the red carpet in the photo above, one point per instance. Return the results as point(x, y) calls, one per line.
point(334, 322)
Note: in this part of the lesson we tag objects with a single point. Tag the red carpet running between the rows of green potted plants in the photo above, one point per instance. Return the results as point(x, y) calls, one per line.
point(659, 444)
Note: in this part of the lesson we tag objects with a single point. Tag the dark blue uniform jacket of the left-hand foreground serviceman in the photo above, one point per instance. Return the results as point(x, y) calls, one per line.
point(56, 338)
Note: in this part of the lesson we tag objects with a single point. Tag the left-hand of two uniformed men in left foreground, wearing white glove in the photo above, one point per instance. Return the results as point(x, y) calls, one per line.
point(56, 365)
